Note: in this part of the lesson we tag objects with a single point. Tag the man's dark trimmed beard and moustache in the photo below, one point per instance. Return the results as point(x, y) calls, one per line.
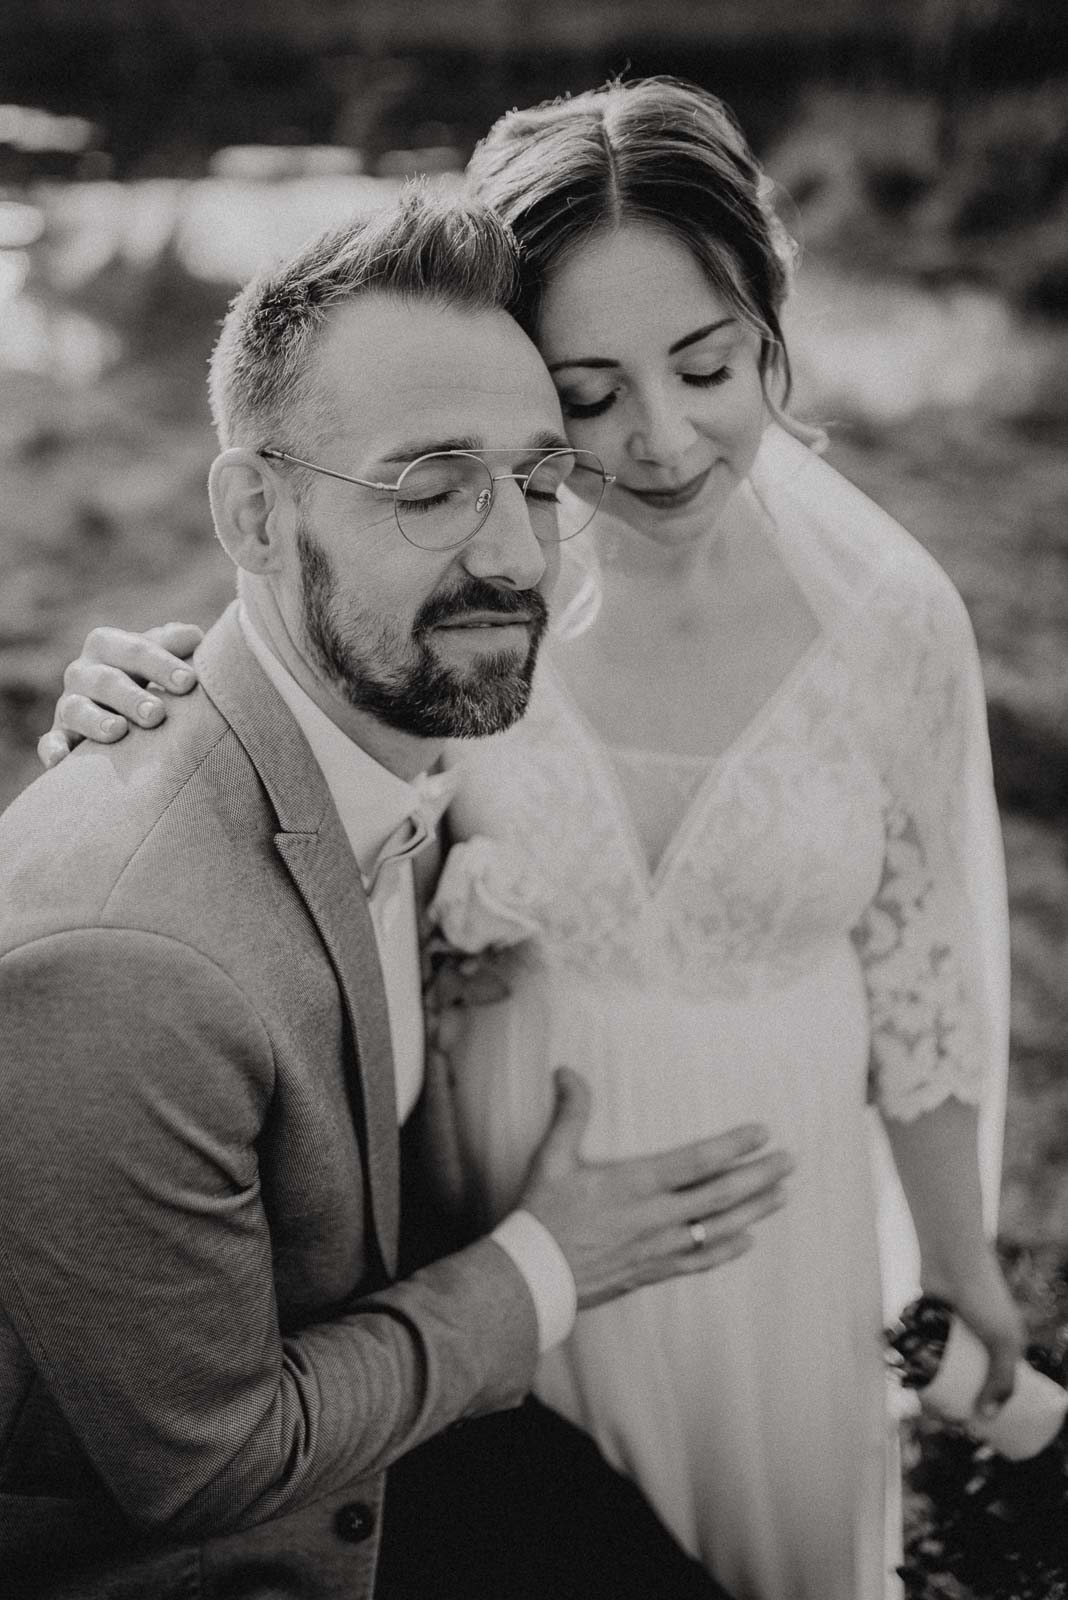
point(400, 681)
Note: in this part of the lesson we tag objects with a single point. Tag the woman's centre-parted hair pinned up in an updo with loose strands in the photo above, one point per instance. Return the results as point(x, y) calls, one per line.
point(653, 151)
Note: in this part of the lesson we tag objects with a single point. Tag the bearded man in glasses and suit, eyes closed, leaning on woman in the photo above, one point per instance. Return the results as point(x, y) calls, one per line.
point(212, 1012)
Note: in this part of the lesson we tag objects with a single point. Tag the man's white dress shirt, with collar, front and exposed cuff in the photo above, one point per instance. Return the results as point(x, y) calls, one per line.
point(388, 822)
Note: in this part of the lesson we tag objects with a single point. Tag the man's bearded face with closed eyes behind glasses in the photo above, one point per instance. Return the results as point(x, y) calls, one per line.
point(439, 644)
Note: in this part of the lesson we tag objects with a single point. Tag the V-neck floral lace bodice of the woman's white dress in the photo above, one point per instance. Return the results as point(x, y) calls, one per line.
point(778, 852)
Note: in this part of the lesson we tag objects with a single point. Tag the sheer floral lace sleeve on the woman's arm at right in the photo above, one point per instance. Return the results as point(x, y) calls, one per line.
point(934, 940)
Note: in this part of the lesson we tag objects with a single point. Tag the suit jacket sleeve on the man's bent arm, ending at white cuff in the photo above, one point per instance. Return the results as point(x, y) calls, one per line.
point(135, 1254)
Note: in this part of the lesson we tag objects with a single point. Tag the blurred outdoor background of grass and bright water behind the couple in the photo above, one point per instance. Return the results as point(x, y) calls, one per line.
point(154, 151)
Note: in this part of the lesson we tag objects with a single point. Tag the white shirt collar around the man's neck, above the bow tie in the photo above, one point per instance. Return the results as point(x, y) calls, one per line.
point(372, 802)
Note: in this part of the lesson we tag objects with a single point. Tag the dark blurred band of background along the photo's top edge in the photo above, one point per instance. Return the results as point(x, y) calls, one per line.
point(169, 84)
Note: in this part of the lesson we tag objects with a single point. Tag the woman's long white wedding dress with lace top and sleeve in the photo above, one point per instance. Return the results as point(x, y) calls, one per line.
point(826, 924)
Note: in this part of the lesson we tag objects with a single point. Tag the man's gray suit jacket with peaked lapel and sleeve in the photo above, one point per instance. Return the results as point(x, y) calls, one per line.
point(205, 1362)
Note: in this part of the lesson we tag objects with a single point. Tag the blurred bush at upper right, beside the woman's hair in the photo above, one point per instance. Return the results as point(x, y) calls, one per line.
point(973, 194)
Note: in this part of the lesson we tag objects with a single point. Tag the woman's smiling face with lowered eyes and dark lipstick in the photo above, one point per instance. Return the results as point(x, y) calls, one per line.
point(658, 377)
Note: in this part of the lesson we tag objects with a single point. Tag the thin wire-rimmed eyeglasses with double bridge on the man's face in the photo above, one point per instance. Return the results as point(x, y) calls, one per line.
point(444, 498)
